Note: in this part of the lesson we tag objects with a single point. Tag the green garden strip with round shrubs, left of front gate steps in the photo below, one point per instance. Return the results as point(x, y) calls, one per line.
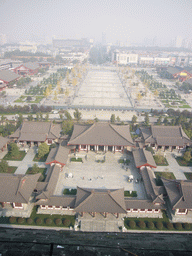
point(35, 219)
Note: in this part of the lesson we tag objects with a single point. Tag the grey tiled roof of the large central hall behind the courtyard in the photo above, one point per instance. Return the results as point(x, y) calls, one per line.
point(101, 134)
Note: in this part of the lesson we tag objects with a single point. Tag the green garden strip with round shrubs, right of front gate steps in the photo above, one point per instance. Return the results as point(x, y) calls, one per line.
point(156, 224)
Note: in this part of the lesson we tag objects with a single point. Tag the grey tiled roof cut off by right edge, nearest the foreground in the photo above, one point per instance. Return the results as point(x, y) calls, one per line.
point(179, 193)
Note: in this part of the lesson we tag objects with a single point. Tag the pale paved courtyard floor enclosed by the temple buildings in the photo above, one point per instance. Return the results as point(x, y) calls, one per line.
point(107, 175)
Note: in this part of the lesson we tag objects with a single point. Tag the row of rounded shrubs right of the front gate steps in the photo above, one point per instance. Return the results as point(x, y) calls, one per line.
point(158, 225)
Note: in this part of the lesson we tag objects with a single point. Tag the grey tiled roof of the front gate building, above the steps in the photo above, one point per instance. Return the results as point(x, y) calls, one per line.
point(100, 200)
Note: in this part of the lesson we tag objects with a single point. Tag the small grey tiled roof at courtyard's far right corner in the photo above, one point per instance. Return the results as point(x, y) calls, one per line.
point(143, 157)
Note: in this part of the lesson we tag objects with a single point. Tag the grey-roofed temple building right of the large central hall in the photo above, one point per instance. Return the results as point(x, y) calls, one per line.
point(165, 137)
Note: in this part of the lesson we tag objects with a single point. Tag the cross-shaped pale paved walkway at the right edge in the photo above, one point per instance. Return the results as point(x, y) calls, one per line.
point(174, 167)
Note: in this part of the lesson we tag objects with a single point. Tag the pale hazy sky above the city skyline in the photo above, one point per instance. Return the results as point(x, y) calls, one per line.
point(123, 20)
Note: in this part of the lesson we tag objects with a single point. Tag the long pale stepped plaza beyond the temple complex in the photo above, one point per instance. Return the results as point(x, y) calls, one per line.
point(101, 88)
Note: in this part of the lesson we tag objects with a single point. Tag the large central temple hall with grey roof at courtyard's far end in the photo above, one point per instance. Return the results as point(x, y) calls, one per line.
point(102, 137)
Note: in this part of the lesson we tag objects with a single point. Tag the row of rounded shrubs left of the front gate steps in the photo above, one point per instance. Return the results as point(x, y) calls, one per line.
point(39, 221)
